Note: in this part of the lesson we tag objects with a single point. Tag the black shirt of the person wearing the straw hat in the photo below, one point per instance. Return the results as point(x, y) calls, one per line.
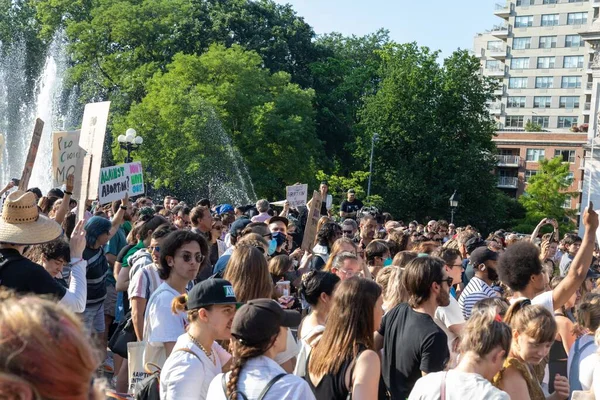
point(24, 276)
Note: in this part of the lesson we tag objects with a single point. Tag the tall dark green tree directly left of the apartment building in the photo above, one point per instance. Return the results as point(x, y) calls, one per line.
point(434, 136)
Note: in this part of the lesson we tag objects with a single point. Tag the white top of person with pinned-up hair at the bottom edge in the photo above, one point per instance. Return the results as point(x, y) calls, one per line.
point(459, 386)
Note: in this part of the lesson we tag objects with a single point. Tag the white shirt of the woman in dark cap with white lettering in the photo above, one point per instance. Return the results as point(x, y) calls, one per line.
point(187, 377)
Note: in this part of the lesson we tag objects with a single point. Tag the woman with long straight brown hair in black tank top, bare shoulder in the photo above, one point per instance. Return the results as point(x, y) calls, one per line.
point(343, 364)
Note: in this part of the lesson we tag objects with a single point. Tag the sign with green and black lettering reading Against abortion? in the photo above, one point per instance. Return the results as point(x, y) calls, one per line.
point(116, 181)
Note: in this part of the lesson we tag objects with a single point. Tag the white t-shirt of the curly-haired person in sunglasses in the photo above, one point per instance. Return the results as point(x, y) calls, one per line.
point(161, 325)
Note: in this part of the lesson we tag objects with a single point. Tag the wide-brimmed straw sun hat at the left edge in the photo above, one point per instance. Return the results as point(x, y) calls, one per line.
point(22, 223)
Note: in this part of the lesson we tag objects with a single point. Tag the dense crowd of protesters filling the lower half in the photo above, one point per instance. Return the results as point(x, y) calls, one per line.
point(226, 304)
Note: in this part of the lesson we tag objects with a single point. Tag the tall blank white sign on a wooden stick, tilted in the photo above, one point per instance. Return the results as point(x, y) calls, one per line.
point(91, 140)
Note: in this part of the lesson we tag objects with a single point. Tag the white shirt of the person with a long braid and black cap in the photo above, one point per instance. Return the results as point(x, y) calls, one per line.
point(255, 376)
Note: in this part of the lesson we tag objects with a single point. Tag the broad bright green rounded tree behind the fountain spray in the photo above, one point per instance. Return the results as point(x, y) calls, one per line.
point(270, 119)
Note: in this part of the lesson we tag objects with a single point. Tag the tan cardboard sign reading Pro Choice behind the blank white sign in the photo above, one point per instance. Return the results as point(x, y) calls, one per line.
point(67, 159)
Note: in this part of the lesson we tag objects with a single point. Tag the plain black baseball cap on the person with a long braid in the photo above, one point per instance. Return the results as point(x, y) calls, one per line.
point(259, 320)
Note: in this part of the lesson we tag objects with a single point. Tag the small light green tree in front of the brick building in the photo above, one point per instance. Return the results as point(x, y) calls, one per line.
point(546, 193)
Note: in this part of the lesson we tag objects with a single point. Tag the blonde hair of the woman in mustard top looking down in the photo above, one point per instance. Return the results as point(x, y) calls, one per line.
point(531, 320)
